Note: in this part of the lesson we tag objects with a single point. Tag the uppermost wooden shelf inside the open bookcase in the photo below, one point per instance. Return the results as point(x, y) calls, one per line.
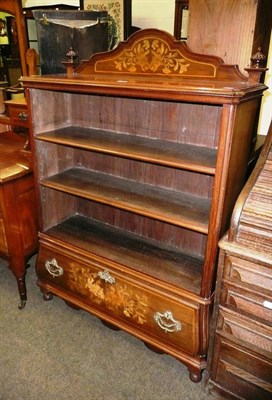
point(172, 154)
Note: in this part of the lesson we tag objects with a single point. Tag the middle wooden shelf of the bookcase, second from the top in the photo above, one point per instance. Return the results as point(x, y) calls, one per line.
point(177, 208)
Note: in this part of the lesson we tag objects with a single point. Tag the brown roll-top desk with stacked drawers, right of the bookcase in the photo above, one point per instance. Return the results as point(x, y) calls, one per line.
point(241, 356)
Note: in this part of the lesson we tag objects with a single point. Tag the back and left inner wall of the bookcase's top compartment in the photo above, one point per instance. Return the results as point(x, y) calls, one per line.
point(178, 122)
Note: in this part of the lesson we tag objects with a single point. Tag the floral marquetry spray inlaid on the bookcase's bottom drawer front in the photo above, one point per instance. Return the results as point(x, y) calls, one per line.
point(116, 297)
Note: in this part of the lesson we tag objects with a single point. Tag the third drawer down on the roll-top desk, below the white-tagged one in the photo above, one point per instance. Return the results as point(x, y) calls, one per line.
point(247, 330)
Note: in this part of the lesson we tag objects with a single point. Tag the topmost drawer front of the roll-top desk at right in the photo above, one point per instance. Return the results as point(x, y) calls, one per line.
point(248, 272)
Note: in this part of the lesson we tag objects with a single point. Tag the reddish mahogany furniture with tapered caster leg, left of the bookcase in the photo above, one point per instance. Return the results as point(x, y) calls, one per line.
point(18, 210)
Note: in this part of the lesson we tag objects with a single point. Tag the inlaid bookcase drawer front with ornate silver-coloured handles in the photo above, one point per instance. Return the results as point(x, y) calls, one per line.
point(105, 290)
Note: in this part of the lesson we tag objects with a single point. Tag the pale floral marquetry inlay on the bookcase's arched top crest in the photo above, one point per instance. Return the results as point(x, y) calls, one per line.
point(152, 55)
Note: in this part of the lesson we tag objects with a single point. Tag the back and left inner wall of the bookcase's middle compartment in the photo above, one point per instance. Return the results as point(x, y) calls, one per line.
point(55, 158)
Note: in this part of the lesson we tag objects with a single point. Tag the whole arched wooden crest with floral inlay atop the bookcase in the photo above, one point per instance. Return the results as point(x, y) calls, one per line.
point(155, 53)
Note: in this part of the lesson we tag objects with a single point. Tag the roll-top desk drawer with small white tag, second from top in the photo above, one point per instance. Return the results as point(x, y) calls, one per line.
point(249, 302)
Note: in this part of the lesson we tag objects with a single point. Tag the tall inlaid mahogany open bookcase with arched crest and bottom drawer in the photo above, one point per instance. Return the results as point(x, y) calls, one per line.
point(139, 157)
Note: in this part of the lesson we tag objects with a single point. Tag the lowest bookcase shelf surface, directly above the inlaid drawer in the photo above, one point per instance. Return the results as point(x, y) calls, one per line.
point(167, 264)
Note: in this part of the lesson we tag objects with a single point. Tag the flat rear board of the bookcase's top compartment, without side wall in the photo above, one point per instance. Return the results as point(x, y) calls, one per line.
point(173, 121)
